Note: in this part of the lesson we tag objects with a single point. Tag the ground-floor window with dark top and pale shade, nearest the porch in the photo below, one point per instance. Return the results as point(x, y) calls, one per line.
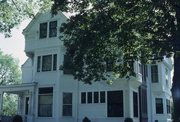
point(45, 102)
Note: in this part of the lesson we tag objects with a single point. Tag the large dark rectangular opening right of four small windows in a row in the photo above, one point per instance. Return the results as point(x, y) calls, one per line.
point(115, 103)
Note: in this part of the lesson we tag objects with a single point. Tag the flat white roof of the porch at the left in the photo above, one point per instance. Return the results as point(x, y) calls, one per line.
point(16, 88)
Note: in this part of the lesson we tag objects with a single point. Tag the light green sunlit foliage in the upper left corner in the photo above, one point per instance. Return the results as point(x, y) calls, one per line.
point(13, 12)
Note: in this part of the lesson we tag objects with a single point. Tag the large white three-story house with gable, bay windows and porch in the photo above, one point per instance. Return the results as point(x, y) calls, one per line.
point(49, 94)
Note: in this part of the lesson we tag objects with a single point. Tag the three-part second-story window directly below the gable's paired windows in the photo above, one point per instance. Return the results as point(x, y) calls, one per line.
point(48, 63)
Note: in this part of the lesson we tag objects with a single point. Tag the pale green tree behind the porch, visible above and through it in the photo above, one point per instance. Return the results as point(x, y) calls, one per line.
point(9, 74)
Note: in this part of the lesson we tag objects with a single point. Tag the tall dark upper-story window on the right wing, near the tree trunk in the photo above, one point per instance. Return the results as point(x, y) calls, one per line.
point(154, 73)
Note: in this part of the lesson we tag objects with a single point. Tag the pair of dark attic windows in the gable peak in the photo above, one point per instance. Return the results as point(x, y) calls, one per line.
point(44, 31)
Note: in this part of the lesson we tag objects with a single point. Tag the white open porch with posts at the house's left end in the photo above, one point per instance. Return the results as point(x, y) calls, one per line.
point(25, 105)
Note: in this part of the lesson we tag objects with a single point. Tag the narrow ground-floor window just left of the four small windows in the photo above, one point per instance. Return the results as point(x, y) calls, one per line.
point(67, 104)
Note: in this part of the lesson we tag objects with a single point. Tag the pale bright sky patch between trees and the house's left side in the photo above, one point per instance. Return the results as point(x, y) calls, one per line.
point(15, 44)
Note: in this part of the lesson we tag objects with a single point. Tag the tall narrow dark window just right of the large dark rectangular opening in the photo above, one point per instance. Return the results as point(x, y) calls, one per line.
point(135, 104)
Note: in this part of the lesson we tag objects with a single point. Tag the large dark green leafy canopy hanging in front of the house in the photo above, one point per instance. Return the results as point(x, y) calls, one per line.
point(113, 34)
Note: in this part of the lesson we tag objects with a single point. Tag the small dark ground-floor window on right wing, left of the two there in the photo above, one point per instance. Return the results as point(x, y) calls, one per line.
point(159, 106)
